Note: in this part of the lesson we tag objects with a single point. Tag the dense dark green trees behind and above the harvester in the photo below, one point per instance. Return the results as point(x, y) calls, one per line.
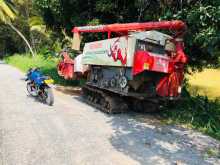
point(202, 18)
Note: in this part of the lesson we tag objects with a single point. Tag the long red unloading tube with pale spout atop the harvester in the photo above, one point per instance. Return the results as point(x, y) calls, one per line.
point(176, 25)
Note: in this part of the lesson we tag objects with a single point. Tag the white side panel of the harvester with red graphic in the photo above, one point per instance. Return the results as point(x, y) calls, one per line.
point(110, 52)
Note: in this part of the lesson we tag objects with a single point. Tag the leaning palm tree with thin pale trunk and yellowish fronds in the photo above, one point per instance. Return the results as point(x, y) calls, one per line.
point(7, 14)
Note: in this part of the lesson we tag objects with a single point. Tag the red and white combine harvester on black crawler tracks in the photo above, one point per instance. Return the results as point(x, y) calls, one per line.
point(140, 68)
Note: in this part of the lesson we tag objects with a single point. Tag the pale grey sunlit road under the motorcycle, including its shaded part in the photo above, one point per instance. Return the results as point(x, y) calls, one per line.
point(72, 133)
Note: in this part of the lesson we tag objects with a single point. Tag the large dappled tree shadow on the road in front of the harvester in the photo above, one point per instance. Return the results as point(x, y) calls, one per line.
point(149, 144)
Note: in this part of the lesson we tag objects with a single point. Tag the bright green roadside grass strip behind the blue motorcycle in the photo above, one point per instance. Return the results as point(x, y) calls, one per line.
point(47, 65)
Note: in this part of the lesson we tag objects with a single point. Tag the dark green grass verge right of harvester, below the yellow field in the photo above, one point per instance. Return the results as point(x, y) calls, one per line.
point(197, 112)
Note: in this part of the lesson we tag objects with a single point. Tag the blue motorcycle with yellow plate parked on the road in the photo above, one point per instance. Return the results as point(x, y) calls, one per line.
point(39, 86)
